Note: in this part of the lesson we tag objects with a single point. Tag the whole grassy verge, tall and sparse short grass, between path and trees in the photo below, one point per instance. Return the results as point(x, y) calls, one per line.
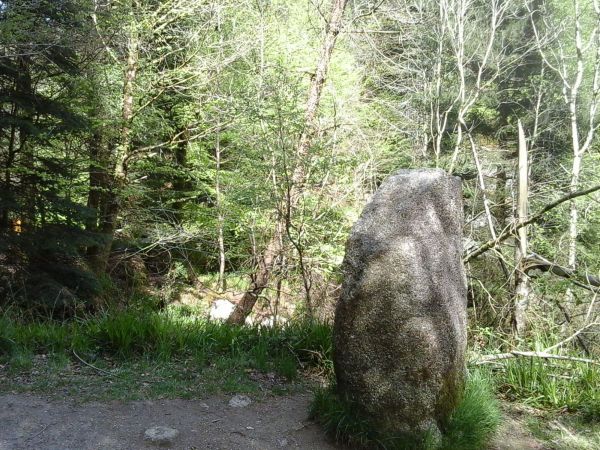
point(157, 354)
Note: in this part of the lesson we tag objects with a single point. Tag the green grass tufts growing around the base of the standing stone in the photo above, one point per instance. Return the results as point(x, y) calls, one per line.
point(471, 425)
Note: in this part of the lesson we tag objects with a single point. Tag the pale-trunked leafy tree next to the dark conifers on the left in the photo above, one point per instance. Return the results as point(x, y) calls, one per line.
point(154, 47)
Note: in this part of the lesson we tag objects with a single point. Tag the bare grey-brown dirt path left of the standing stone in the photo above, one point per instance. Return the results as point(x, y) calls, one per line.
point(30, 422)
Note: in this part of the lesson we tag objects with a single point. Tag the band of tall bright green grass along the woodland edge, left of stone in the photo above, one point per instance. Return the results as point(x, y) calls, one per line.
point(135, 334)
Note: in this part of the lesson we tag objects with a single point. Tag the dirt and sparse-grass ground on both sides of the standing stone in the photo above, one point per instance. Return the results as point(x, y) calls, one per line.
point(80, 407)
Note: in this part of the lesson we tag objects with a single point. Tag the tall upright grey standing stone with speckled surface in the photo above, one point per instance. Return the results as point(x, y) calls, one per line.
point(400, 323)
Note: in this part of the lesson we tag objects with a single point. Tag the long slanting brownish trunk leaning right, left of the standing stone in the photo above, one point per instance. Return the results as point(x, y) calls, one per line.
point(274, 247)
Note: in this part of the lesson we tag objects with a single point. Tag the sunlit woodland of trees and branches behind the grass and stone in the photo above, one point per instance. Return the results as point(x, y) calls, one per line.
point(154, 151)
